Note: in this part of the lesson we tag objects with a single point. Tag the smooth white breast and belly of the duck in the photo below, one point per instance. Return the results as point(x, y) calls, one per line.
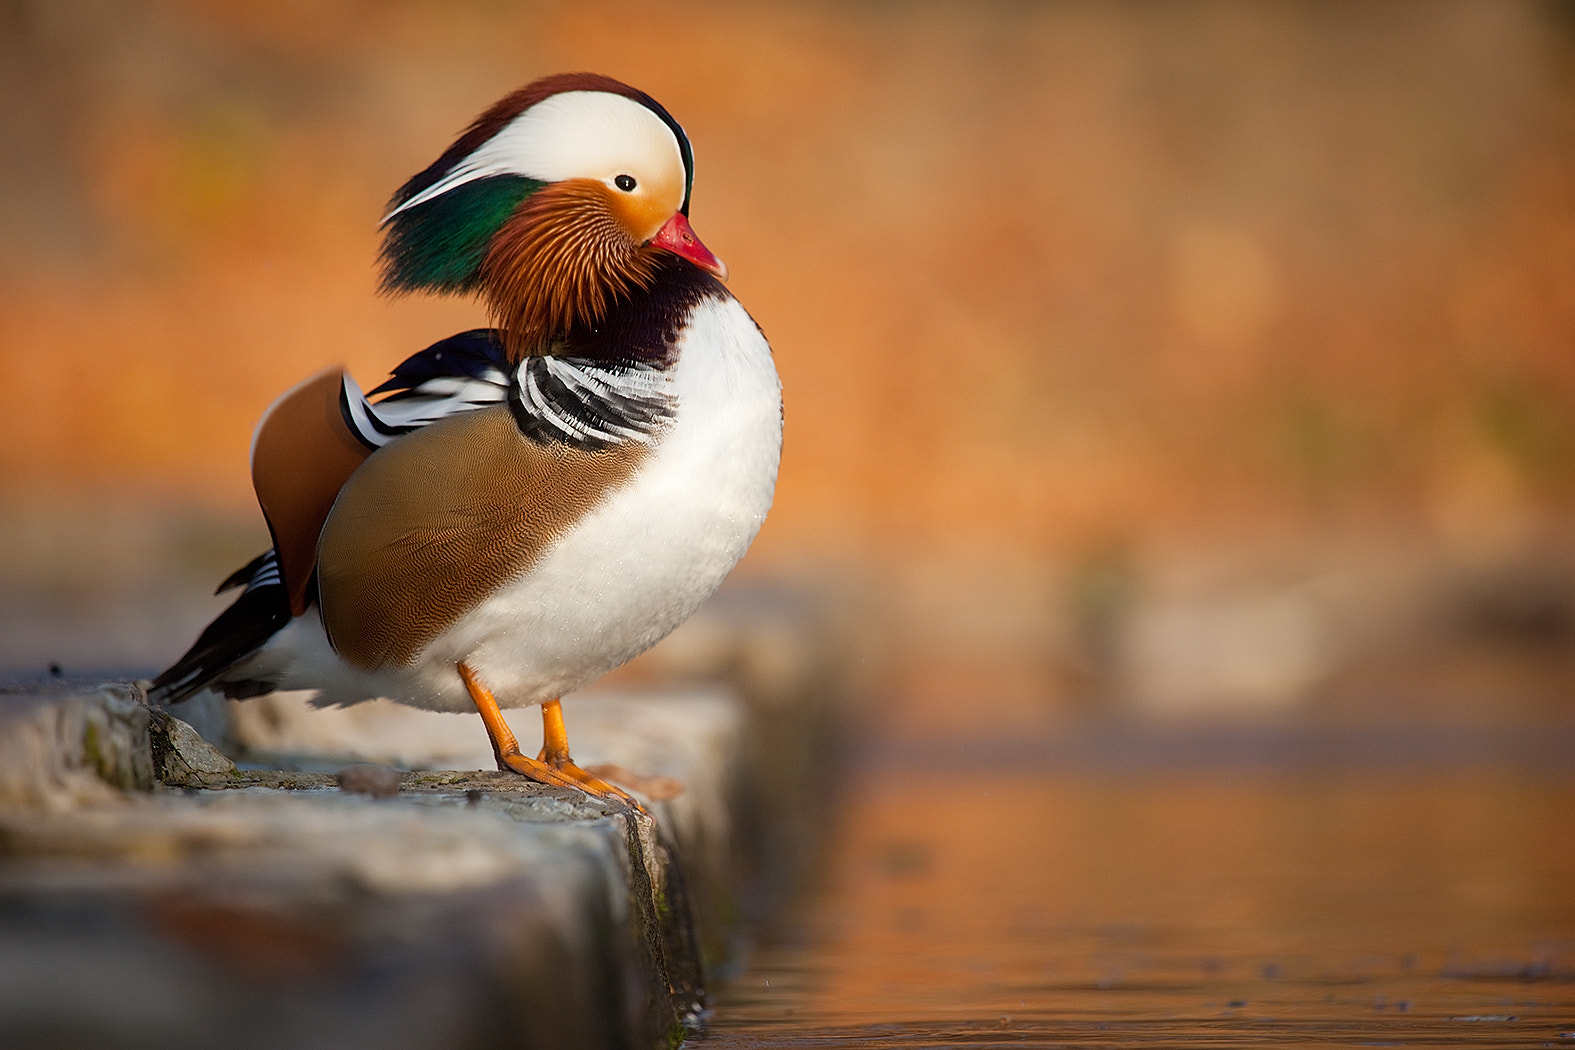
point(645, 560)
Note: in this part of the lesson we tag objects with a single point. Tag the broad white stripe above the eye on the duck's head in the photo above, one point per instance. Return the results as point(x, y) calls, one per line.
point(573, 135)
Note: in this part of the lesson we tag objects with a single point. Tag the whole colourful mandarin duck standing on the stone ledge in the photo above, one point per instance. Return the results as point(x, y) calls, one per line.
point(522, 508)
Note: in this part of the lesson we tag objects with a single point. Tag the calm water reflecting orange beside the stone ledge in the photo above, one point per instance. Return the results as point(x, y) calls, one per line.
point(1410, 890)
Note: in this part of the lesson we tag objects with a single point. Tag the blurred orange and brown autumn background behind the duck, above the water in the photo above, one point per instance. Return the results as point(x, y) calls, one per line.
point(1141, 361)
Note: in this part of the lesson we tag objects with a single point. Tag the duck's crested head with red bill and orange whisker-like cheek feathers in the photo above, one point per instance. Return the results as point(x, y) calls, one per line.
point(558, 201)
